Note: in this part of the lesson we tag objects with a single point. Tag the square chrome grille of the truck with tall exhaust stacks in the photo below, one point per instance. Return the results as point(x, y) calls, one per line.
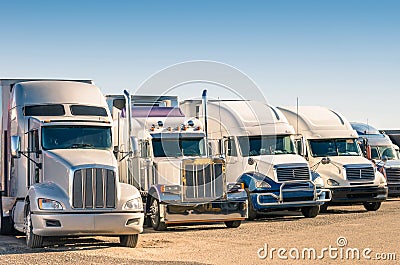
point(203, 181)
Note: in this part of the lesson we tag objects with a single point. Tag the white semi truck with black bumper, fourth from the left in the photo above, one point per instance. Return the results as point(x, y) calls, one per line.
point(330, 145)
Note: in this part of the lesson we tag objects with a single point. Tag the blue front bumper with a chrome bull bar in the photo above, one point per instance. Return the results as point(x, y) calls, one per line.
point(291, 198)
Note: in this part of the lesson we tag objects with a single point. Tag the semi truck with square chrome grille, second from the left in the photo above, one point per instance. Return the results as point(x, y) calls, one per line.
point(165, 155)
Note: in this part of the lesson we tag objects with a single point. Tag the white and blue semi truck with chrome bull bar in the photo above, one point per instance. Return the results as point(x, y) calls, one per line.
point(257, 142)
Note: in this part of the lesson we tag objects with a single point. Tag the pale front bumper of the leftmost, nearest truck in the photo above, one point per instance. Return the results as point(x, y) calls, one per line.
point(72, 224)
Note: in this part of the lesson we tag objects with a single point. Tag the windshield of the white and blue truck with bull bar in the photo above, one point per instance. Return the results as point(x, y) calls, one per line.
point(266, 145)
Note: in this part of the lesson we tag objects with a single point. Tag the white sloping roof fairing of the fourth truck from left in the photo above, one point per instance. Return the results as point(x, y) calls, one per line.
point(316, 122)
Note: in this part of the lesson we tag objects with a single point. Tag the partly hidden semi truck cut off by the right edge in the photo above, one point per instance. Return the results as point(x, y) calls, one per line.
point(379, 148)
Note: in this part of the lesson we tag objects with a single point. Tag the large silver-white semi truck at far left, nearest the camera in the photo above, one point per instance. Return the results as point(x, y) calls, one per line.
point(59, 176)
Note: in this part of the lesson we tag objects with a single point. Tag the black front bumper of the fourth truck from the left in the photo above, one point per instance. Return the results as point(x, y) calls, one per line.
point(351, 195)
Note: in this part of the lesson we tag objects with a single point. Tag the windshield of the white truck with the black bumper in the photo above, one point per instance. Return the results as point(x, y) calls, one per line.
point(335, 147)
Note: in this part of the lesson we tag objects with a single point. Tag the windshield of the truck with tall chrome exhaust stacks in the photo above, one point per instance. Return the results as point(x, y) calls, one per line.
point(177, 147)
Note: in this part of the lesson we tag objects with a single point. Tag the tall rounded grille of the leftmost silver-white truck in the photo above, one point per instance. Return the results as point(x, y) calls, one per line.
point(93, 188)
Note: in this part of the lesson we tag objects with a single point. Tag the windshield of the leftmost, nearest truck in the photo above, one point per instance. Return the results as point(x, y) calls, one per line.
point(66, 137)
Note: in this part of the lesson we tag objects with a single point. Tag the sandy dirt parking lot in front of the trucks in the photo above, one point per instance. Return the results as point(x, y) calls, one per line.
point(346, 229)
